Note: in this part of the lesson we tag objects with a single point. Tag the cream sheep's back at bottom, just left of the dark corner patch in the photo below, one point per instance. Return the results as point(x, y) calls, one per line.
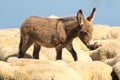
point(94, 70)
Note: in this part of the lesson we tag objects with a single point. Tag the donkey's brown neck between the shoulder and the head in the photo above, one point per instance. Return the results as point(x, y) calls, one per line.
point(72, 27)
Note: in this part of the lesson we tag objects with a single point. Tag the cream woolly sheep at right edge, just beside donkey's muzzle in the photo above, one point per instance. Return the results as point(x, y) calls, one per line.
point(107, 49)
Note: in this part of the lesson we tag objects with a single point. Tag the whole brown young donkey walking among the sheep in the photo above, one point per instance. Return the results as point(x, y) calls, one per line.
point(57, 33)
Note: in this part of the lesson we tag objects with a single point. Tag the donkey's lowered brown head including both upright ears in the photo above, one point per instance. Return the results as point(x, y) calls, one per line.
point(86, 32)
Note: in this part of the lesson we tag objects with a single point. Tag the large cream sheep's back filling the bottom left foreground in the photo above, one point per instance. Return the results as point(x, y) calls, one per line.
point(31, 69)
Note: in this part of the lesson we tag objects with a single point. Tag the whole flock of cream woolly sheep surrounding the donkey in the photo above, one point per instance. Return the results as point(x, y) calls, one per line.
point(102, 63)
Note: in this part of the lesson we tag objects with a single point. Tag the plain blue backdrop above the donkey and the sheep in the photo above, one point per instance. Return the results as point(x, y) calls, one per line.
point(14, 12)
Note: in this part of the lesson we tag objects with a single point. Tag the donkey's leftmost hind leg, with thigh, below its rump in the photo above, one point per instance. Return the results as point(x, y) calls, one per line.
point(23, 46)
